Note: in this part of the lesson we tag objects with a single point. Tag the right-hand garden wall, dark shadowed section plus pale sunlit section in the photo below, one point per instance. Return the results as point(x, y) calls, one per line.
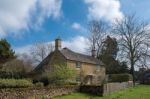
point(106, 89)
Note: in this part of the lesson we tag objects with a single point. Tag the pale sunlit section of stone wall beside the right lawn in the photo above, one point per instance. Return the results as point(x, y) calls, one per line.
point(113, 87)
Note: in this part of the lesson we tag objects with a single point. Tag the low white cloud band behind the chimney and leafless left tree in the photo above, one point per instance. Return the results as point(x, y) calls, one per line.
point(78, 44)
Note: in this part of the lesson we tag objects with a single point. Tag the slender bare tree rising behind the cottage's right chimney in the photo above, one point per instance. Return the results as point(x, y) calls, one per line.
point(98, 32)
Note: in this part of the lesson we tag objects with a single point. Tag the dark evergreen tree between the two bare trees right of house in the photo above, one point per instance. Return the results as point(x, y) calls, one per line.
point(108, 57)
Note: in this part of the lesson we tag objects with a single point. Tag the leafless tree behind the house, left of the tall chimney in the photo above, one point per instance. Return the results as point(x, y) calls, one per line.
point(40, 50)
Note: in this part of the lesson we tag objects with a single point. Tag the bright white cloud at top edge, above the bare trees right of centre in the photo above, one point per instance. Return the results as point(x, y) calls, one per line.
point(107, 9)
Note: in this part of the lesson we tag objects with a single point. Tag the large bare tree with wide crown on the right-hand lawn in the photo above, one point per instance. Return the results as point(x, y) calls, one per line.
point(133, 40)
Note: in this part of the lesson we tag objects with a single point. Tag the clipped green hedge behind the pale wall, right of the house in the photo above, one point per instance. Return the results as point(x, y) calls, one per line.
point(120, 77)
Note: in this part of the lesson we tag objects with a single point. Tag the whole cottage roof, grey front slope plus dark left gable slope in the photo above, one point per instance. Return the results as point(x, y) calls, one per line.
point(70, 55)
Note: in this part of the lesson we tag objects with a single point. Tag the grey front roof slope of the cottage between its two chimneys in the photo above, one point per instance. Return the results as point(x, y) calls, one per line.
point(70, 55)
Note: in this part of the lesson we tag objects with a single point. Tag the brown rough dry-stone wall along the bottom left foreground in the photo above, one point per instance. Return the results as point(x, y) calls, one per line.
point(35, 93)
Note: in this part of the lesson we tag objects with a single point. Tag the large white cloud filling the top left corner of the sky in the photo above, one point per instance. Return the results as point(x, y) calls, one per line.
point(16, 15)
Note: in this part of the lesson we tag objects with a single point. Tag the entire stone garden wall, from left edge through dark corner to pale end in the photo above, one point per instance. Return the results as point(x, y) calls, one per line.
point(36, 93)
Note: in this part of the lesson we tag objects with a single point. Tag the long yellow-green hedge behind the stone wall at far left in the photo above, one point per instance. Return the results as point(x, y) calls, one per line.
point(15, 83)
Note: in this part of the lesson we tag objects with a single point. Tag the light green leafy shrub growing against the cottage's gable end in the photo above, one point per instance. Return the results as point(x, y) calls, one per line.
point(58, 77)
